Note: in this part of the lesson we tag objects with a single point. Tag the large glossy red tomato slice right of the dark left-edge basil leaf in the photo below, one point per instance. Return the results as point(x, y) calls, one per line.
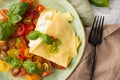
point(20, 30)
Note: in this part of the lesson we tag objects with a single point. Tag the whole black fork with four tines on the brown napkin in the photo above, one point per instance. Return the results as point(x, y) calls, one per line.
point(95, 39)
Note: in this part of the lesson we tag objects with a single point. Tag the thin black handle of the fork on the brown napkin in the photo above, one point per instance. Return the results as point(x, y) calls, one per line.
point(93, 61)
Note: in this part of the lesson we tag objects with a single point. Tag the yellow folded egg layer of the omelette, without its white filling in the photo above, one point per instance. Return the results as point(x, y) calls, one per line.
point(60, 28)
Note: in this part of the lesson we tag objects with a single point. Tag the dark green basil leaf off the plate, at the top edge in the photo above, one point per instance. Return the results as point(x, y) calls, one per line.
point(100, 3)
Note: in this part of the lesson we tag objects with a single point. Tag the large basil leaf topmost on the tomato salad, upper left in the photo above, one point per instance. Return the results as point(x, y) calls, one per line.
point(19, 8)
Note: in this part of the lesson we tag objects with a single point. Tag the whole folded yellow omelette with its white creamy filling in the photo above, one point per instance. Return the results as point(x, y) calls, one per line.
point(58, 25)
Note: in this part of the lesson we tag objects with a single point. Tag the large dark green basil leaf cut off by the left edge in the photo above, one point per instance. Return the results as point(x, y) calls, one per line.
point(6, 30)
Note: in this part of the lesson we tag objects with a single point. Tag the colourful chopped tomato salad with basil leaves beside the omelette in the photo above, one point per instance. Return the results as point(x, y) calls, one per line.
point(14, 49)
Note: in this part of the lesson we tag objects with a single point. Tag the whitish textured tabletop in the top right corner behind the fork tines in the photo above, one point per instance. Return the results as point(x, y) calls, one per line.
point(112, 14)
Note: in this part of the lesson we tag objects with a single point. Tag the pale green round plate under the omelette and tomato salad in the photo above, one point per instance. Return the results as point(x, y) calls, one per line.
point(63, 6)
